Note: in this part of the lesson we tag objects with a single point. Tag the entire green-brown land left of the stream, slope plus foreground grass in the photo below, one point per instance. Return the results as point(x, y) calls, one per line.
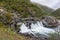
point(12, 11)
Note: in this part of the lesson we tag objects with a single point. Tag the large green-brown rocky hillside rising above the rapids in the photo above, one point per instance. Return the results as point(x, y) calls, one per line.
point(14, 10)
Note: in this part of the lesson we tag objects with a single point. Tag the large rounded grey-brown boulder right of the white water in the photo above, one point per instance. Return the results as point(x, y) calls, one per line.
point(50, 21)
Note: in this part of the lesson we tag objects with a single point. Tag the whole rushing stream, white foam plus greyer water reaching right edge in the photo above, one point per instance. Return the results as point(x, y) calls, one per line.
point(38, 30)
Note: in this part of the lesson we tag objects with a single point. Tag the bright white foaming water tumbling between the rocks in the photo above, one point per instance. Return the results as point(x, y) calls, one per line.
point(36, 28)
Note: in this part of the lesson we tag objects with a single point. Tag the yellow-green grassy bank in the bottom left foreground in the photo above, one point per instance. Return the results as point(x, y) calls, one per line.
point(8, 34)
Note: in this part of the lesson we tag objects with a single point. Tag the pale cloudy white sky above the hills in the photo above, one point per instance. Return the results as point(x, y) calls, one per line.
point(54, 4)
